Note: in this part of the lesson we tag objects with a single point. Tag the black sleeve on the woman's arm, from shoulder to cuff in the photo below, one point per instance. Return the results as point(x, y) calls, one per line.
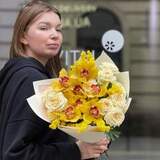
point(24, 128)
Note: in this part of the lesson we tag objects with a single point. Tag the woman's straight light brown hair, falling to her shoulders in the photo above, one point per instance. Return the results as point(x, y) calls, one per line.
point(25, 18)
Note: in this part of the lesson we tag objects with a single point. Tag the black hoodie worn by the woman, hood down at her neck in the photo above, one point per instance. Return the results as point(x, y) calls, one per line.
point(23, 135)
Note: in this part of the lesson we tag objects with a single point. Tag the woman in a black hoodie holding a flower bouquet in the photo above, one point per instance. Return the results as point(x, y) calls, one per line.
point(36, 42)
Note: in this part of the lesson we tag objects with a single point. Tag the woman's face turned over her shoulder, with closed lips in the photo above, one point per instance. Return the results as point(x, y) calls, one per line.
point(43, 38)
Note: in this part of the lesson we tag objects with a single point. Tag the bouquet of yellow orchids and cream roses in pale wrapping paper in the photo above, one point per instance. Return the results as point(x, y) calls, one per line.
point(88, 101)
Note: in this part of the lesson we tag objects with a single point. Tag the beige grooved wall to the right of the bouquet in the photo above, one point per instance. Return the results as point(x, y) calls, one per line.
point(144, 62)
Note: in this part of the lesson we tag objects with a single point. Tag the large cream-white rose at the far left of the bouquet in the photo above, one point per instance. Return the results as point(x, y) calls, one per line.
point(54, 101)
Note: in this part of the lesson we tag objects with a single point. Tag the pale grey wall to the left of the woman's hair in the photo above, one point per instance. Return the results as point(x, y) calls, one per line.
point(8, 13)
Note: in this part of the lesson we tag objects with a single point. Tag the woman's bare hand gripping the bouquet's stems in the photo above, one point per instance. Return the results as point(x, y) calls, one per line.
point(92, 150)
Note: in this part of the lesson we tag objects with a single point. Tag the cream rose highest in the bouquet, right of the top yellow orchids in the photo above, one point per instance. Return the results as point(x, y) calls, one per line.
point(106, 72)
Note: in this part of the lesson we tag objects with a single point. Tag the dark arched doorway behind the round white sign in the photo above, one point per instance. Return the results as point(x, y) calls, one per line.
point(101, 21)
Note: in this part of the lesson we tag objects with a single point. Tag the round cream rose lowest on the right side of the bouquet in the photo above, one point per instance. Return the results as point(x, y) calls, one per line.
point(114, 117)
